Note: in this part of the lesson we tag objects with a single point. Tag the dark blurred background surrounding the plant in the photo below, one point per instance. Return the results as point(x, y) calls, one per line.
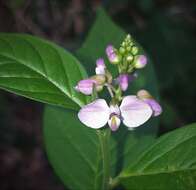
point(165, 28)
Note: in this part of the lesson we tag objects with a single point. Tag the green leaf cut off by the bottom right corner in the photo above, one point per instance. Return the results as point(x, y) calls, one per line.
point(170, 163)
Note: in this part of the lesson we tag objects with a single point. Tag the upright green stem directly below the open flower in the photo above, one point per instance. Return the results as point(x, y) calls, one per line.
point(104, 141)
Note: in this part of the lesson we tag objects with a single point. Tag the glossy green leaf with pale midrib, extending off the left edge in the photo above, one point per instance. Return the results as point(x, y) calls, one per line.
point(39, 70)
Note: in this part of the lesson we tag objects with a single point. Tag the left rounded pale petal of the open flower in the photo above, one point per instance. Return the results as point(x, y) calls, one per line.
point(95, 114)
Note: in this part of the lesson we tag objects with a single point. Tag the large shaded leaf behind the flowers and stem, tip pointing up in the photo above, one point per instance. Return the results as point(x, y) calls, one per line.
point(75, 150)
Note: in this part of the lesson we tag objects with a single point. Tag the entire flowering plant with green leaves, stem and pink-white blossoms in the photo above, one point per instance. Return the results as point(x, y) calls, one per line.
point(96, 159)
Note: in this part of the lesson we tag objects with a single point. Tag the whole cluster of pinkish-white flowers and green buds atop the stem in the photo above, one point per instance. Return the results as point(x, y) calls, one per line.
point(131, 110)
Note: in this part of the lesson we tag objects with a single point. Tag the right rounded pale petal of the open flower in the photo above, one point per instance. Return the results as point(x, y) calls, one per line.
point(134, 112)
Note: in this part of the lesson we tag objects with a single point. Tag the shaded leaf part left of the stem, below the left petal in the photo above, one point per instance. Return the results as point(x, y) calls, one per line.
point(73, 149)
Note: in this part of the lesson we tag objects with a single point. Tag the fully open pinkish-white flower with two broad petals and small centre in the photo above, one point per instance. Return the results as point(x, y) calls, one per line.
point(133, 112)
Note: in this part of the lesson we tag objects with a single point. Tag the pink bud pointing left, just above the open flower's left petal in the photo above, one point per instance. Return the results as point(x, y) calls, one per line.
point(86, 86)
